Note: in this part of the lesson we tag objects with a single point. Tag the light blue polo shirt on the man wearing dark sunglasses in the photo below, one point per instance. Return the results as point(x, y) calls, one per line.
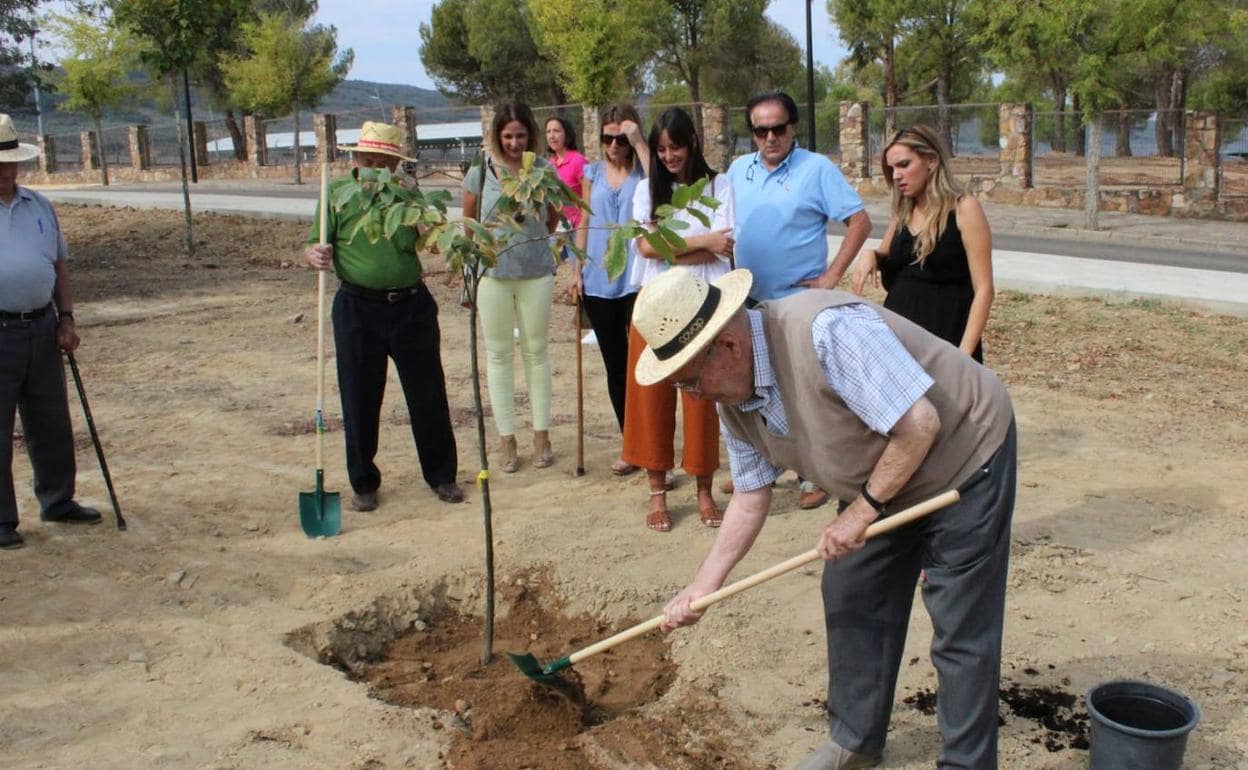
point(782, 219)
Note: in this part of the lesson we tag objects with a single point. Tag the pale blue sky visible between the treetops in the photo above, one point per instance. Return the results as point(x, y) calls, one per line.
point(388, 42)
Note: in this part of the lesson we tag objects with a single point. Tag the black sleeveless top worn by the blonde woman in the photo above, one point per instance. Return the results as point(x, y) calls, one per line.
point(937, 295)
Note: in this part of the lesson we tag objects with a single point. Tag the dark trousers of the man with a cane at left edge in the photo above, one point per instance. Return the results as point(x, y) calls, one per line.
point(33, 385)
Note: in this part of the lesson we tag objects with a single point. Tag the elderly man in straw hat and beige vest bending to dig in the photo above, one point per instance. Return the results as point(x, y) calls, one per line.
point(883, 415)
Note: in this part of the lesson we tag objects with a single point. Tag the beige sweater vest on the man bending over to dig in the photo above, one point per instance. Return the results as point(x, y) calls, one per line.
point(831, 446)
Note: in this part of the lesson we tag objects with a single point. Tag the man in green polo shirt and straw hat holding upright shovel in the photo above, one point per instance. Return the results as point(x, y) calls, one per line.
point(384, 310)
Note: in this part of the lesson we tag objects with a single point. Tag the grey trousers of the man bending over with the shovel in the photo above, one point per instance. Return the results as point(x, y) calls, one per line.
point(868, 596)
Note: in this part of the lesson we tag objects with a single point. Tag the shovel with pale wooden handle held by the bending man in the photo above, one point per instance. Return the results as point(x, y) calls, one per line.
point(548, 673)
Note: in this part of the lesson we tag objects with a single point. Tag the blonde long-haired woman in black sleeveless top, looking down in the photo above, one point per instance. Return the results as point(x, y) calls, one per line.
point(937, 258)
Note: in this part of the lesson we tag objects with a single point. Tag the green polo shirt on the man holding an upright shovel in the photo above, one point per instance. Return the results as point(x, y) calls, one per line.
point(388, 264)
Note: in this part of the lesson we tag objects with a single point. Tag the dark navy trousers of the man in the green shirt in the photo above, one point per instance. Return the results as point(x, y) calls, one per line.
point(366, 333)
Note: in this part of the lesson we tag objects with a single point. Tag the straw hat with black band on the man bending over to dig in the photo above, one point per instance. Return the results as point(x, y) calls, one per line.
point(678, 315)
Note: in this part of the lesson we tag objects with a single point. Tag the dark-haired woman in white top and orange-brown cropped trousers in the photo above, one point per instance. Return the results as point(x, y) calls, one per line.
point(651, 414)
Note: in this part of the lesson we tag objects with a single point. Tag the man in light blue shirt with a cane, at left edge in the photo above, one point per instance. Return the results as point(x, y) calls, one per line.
point(37, 324)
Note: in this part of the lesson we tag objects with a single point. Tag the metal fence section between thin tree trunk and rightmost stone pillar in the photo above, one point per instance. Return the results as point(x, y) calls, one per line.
point(1141, 148)
